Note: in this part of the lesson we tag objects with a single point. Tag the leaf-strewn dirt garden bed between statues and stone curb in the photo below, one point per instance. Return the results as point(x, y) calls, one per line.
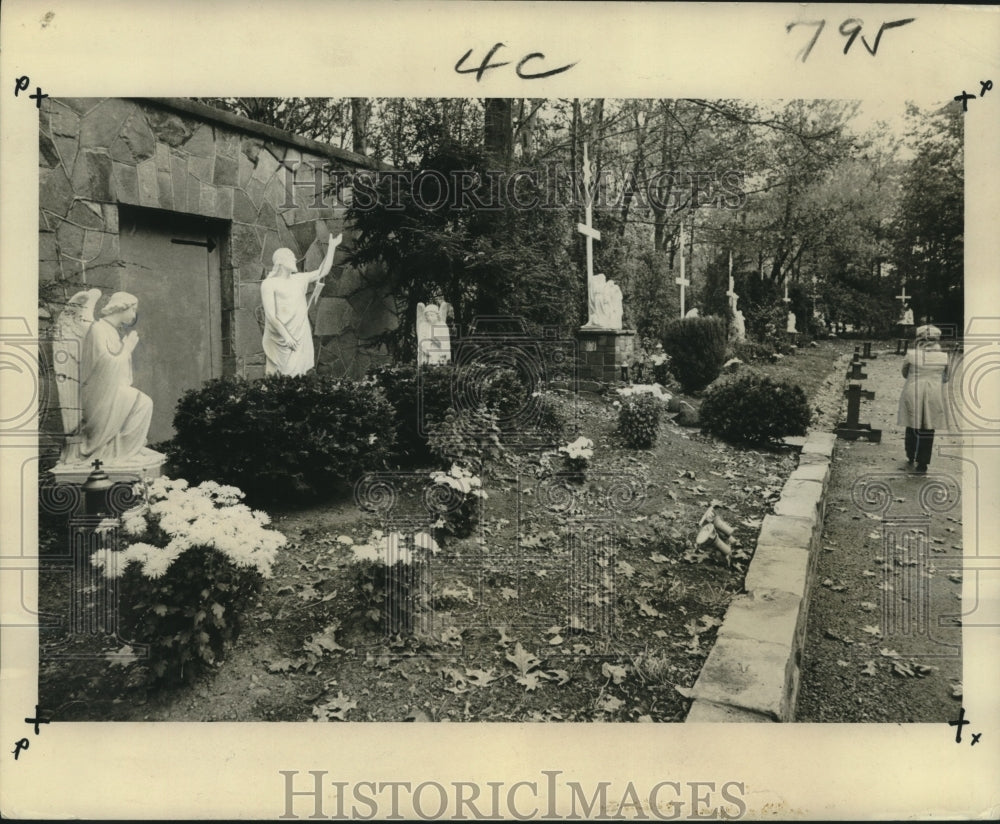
point(514, 636)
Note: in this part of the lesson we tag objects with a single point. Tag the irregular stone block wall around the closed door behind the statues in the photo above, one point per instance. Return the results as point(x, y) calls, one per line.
point(177, 155)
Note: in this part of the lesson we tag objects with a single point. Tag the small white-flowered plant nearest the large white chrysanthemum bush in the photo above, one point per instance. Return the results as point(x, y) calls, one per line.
point(392, 578)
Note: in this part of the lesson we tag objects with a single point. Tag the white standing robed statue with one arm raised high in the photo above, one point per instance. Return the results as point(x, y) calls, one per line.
point(288, 346)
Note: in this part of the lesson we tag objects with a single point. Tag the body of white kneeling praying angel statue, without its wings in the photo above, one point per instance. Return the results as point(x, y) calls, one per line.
point(115, 415)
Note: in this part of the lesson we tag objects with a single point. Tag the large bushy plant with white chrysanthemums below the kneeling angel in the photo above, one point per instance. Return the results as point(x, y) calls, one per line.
point(198, 557)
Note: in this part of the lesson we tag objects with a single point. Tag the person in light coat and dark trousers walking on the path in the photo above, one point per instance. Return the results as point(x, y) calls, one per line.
point(921, 404)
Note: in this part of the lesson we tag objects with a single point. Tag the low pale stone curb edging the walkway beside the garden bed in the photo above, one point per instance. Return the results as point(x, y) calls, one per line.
point(752, 672)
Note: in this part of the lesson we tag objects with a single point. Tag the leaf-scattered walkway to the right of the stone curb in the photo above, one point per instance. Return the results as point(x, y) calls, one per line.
point(884, 639)
